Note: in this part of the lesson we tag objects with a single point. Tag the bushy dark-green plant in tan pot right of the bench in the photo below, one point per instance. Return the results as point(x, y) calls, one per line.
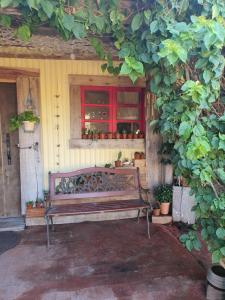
point(164, 194)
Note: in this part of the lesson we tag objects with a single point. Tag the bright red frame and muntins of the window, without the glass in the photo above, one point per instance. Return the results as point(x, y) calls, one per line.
point(113, 105)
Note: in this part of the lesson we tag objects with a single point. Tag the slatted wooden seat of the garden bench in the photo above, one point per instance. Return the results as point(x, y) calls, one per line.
point(95, 207)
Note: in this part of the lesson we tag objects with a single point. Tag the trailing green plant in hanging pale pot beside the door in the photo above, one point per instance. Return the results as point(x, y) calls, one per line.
point(27, 118)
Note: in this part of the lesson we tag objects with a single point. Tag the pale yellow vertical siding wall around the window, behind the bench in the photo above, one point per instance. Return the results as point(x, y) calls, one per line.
point(54, 81)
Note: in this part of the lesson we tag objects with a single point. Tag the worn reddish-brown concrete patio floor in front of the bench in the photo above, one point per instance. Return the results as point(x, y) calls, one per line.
point(101, 260)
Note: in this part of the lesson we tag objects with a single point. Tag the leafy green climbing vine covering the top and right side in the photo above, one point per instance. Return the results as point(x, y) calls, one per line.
point(179, 46)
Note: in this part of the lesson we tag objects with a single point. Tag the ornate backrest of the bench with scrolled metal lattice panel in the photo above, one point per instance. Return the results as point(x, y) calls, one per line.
point(94, 182)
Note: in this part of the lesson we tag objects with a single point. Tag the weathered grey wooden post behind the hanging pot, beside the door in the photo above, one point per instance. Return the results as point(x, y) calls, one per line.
point(30, 158)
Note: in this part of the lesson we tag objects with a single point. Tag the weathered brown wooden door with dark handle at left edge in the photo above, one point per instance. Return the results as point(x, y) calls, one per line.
point(9, 154)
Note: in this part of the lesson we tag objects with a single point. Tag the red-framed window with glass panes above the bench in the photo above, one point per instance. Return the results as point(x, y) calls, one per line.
point(112, 109)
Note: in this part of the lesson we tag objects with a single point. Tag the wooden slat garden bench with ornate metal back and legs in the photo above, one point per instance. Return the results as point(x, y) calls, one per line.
point(73, 193)
